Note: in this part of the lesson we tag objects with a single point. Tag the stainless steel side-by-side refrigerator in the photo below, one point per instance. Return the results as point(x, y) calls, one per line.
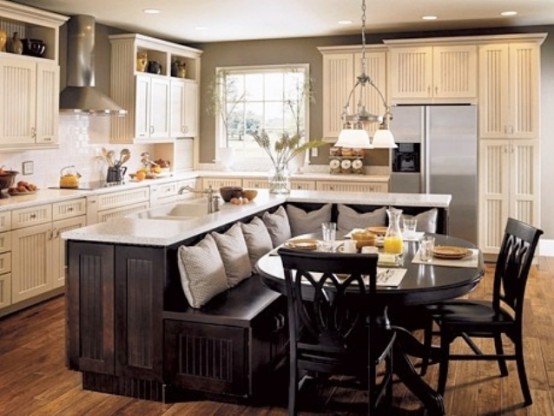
point(447, 152)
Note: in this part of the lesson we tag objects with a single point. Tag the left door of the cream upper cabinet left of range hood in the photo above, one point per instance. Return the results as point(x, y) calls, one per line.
point(18, 101)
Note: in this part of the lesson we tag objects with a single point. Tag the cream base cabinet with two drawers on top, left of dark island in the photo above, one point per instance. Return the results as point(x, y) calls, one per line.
point(37, 250)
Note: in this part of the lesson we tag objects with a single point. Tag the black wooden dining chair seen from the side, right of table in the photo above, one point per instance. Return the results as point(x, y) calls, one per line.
point(492, 318)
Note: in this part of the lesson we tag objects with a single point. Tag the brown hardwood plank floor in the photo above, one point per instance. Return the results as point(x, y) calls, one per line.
point(35, 381)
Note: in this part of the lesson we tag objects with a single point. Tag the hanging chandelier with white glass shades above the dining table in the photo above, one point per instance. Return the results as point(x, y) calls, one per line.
point(353, 133)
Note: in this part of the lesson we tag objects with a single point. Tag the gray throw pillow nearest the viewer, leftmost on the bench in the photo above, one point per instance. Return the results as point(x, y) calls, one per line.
point(202, 272)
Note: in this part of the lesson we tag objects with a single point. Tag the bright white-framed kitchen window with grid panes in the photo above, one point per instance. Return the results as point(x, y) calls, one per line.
point(255, 98)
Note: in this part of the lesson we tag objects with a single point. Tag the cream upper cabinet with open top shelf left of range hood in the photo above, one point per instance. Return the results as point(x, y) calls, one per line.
point(29, 84)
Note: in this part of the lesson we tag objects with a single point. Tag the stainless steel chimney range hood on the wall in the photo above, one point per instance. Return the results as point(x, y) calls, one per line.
point(80, 96)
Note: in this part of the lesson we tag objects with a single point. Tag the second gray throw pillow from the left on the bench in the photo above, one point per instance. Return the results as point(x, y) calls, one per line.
point(234, 254)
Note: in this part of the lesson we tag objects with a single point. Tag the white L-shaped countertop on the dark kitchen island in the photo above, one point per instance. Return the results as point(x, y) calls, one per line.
point(164, 232)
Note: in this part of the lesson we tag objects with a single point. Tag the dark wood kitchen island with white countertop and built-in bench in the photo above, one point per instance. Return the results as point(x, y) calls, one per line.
point(128, 320)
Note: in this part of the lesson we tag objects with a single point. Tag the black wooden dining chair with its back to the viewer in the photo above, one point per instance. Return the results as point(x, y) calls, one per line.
point(336, 326)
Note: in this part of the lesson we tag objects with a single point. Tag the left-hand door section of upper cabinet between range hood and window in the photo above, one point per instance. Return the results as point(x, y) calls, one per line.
point(152, 108)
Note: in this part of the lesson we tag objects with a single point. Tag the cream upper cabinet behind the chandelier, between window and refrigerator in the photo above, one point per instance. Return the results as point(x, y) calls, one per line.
point(341, 66)
